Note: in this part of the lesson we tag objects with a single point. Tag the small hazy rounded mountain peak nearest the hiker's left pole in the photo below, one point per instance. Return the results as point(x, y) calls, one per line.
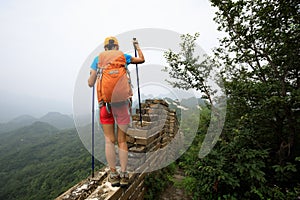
point(58, 120)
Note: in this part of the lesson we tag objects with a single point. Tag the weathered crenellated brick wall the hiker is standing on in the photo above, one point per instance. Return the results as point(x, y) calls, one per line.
point(151, 146)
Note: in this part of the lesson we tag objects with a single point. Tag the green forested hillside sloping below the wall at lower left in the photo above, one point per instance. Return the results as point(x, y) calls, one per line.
point(40, 162)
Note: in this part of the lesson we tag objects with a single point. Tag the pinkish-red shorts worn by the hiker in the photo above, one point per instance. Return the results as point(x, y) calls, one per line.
point(118, 113)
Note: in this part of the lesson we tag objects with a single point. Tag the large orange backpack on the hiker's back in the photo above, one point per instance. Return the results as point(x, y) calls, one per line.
point(113, 82)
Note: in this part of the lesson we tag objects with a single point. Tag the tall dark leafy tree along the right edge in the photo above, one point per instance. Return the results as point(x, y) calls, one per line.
point(260, 55)
